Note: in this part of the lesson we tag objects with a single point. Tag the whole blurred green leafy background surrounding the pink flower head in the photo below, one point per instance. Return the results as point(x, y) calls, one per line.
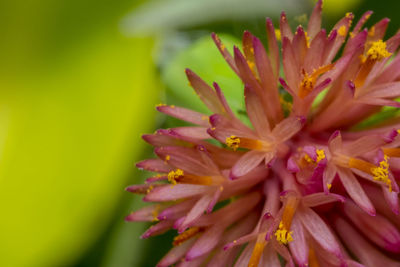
point(79, 80)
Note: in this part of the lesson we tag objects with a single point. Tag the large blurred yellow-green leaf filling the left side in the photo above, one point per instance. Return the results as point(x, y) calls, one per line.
point(75, 95)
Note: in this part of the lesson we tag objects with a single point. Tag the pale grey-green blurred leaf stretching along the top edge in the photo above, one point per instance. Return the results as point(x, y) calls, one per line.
point(159, 16)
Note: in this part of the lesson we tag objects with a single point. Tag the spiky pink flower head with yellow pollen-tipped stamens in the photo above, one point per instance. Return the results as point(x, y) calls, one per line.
point(300, 183)
